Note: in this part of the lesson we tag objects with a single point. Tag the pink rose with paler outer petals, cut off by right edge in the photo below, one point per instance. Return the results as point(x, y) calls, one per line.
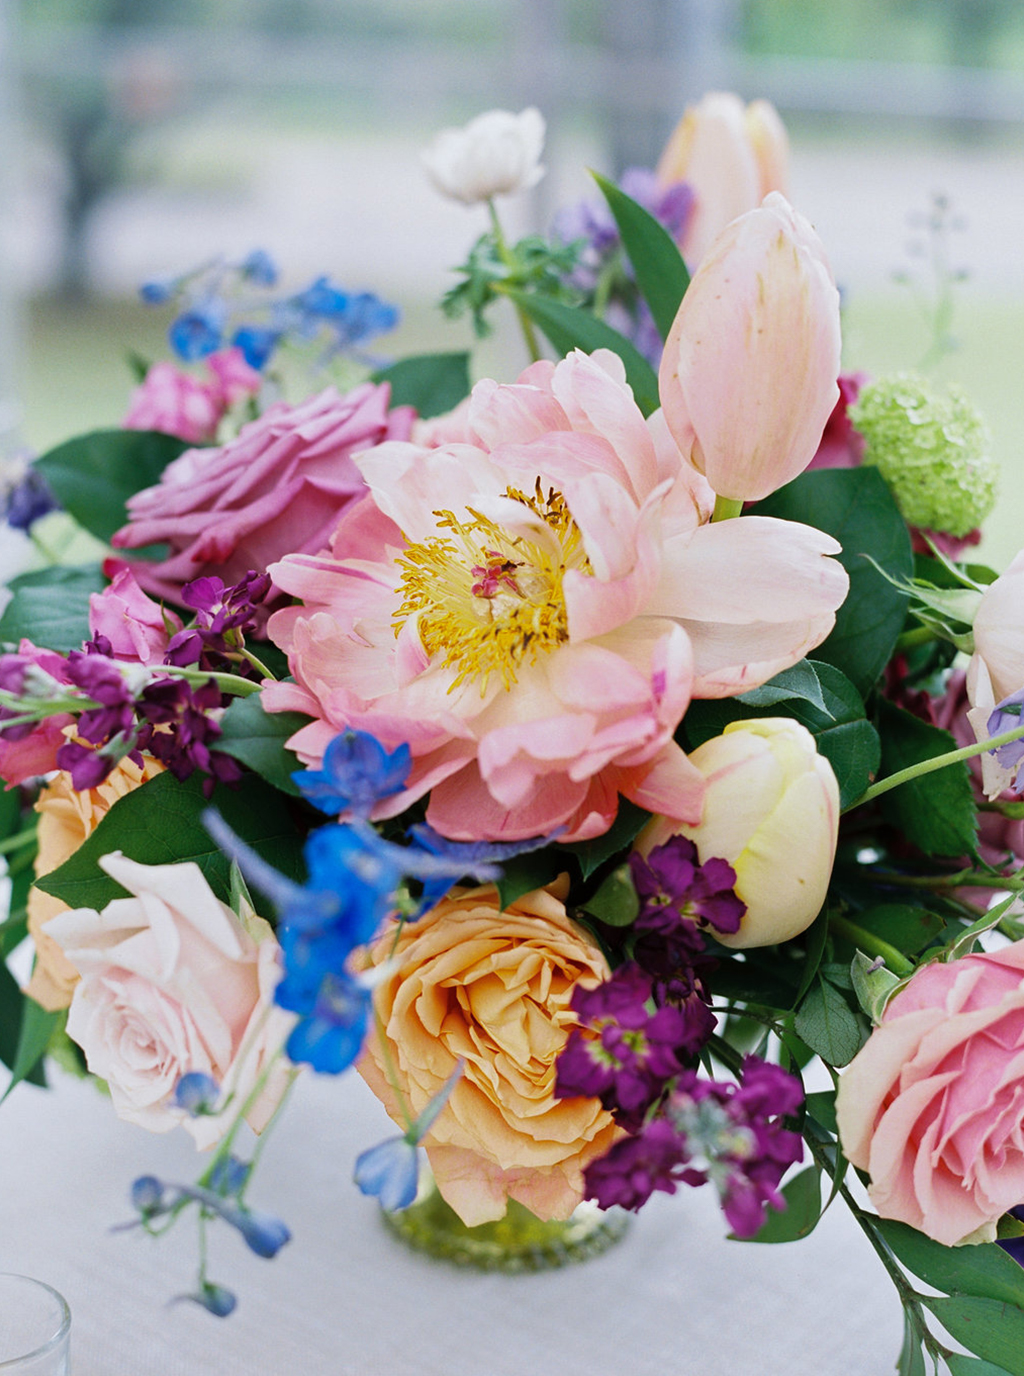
point(931, 1106)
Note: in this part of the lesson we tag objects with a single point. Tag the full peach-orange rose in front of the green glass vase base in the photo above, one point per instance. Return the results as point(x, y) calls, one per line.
point(469, 982)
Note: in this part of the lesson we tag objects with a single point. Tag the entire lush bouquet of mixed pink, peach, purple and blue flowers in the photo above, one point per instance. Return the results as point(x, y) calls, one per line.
point(619, 766)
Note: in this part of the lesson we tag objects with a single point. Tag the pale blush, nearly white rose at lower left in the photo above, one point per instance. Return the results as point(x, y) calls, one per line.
point(173, 982)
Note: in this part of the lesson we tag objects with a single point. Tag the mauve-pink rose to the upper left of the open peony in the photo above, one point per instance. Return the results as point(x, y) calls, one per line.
point(277, 489)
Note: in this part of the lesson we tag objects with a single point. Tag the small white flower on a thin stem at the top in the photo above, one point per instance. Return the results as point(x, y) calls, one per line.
point(495, 155)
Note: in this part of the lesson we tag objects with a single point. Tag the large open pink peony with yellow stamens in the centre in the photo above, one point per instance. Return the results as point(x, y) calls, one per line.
point(532, 612)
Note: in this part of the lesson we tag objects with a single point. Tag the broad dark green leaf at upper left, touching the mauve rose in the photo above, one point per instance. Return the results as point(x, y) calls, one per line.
point(94, 475)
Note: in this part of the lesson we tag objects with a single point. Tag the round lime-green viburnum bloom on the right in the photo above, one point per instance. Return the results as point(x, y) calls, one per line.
point(932, 449)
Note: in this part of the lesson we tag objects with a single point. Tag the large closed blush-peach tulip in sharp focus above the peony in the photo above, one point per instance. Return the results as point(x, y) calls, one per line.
point(748, 378)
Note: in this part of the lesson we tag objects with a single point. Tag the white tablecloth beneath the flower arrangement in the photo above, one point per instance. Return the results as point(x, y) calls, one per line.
point(346, 1300)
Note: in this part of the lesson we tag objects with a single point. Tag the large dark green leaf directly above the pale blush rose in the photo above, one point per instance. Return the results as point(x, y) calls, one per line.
point(160, 824)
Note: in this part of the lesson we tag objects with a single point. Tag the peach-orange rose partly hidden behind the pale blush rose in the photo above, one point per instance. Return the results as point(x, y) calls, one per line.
point(67, 819)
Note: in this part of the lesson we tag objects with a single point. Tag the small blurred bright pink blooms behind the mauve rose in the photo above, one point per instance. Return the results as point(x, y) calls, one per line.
point(175, 402)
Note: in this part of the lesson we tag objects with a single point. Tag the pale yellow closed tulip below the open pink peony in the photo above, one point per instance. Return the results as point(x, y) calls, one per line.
point(773, 813)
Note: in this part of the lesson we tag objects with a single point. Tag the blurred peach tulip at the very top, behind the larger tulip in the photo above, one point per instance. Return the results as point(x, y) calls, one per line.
point(732, 156)
